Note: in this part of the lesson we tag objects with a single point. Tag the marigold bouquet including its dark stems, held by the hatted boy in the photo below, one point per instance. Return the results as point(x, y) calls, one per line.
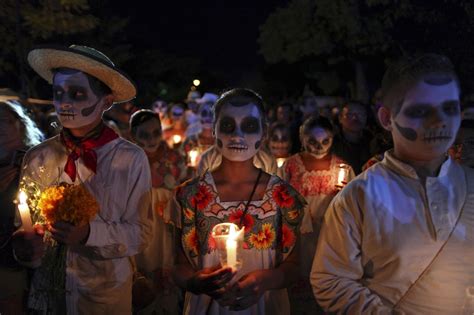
point(70, 203)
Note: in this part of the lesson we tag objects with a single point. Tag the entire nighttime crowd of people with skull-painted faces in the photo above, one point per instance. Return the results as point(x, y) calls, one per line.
point(346, 207)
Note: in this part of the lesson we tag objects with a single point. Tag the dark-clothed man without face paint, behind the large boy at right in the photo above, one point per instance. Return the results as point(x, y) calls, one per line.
point(353, 141)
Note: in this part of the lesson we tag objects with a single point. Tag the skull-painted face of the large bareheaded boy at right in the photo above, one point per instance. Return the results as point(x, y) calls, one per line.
point(427, 122)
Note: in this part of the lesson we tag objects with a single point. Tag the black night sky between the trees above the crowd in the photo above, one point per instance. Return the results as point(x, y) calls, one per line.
point(222, 34)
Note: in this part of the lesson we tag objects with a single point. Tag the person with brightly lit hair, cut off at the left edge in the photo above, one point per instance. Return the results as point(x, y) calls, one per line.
point(18, 133)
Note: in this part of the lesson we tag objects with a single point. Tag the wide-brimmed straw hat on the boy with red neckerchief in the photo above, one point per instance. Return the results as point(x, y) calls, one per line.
point(88, 60)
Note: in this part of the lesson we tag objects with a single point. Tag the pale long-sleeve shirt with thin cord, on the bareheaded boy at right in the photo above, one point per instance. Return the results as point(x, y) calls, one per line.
point(383, 230)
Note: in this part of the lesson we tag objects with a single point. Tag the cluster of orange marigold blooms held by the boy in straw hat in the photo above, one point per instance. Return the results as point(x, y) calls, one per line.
point(69, 203)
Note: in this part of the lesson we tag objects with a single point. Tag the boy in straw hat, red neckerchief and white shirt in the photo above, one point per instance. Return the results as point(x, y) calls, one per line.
point(98, 269)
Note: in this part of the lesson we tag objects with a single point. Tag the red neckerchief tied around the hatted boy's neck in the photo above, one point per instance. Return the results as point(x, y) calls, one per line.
point(83, 148)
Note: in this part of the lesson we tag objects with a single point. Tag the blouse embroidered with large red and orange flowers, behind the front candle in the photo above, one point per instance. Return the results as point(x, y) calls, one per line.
point(271, 230)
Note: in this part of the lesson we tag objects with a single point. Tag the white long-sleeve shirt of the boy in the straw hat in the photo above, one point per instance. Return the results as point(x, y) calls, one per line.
point(99, 273)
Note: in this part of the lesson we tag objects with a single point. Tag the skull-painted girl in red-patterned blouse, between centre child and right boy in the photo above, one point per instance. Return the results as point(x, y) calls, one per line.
point(314, 173)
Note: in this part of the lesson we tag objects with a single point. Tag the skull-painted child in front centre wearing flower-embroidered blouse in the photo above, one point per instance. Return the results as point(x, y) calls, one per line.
point(236, 191)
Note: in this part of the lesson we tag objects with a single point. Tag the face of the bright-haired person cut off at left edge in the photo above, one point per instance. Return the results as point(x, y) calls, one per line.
point(10, 133)
